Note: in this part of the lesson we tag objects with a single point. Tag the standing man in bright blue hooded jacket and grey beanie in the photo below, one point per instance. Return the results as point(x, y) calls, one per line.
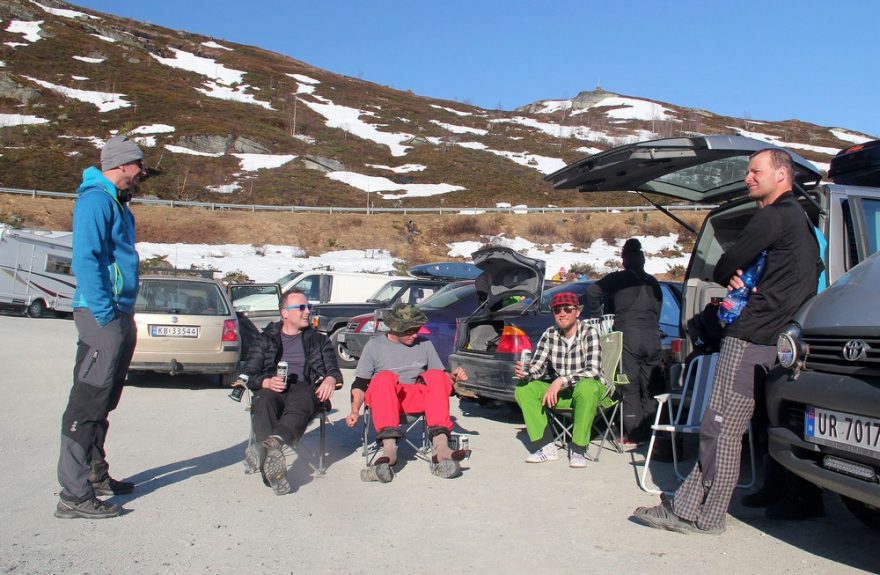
point(105, 264)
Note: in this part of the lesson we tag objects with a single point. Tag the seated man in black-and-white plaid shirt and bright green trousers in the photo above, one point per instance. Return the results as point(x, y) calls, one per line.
point(564, 372)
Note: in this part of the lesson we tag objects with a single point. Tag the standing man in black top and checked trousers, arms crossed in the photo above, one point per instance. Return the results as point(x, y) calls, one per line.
point(748, 350)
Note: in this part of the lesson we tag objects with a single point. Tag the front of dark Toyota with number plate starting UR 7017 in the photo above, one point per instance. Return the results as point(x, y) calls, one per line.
point(824, 401)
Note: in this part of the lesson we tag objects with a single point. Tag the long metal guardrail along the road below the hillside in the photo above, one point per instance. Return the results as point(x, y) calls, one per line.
point(366, 210)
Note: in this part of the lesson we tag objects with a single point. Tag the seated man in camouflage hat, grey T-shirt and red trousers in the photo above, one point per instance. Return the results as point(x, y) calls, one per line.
point(402, 373)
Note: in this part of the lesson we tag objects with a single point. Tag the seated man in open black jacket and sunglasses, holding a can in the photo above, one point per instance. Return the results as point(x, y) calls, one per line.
point(282, 407)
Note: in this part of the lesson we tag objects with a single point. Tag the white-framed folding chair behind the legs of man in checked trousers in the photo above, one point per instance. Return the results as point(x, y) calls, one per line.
point(685, 415)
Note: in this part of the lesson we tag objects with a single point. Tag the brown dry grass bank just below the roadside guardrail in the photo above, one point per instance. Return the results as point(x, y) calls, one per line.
point(319, 233)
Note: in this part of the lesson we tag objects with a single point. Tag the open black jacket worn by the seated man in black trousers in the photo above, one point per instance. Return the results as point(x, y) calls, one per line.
point(265, 353)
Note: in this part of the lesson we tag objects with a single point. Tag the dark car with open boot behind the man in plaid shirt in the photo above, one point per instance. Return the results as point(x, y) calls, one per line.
point(489, 343)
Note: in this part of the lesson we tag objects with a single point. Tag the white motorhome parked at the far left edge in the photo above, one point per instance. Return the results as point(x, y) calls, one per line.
point(35, 273)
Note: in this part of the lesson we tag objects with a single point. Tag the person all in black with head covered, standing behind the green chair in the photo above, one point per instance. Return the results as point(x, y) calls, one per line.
point(635, 299)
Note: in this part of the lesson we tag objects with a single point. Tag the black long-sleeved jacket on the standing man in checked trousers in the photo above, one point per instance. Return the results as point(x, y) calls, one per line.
point(790, 274)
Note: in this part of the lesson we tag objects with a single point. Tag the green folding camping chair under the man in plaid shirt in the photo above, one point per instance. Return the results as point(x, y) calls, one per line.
point(609, 409)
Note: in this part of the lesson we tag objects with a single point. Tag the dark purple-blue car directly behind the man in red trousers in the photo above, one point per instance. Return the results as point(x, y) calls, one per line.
point(442, 308)
